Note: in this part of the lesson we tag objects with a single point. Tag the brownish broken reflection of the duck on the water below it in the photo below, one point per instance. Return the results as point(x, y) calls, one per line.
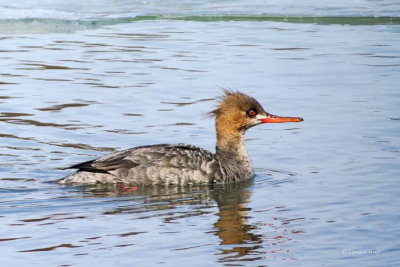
point(231, 225)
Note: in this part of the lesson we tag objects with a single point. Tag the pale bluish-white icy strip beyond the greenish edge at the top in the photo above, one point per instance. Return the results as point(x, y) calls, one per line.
point(124, 8)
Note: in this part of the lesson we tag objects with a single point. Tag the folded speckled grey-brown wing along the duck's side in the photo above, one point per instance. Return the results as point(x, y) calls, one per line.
point(171, 164)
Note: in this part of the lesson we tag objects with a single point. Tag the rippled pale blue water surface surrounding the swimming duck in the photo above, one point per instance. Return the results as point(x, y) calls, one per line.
point(326, 191)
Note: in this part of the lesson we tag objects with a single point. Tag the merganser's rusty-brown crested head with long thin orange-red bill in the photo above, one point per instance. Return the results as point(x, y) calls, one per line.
point(237, 112)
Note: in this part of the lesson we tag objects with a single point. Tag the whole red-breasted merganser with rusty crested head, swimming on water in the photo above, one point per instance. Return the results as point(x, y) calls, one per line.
point(182, 164)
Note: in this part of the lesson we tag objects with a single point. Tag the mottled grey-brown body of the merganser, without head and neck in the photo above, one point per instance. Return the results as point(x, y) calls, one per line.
point(168, 164)
